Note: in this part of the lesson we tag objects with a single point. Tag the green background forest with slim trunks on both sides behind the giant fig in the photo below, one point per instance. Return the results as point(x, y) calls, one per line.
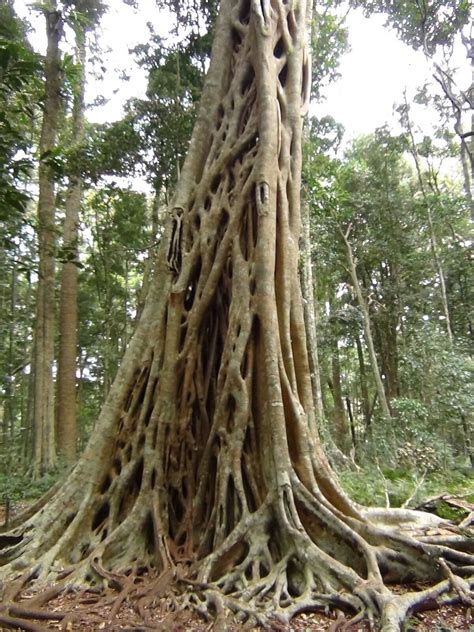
point(388, 293)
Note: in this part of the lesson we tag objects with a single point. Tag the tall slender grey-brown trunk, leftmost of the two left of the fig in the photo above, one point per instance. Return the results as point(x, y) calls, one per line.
point(45, 450)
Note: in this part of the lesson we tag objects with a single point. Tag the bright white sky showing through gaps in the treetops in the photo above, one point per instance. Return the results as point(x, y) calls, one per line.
point(374, 74)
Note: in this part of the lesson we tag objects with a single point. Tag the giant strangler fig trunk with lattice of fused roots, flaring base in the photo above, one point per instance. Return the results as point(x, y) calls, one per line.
point(205, 465)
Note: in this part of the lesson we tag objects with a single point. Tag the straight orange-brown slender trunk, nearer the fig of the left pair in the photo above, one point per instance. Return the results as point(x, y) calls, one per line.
point(67, 356)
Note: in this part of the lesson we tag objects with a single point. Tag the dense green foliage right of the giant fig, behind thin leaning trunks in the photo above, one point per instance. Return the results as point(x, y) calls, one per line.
point(374, 190)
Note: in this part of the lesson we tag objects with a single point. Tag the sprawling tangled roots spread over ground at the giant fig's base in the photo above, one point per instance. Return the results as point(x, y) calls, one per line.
point(294, 554)
